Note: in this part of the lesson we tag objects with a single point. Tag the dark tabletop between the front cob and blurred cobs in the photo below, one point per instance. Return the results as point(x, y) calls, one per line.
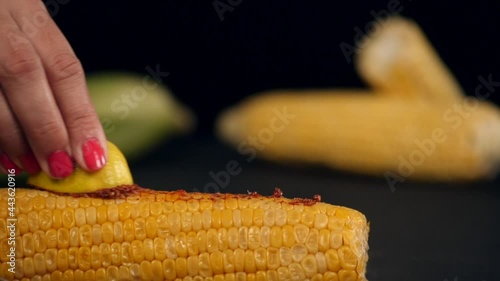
point(419, 231)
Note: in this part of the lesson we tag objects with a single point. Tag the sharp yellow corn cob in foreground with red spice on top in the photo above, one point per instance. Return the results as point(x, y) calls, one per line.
point(261, 250)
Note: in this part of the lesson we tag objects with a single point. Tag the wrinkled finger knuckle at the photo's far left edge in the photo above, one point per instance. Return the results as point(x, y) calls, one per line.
point(23, 61)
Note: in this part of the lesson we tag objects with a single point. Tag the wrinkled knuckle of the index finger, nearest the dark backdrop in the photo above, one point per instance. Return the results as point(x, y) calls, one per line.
point(63, 66)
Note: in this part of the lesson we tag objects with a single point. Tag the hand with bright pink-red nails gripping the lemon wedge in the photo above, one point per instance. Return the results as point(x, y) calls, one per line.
point(46, 116)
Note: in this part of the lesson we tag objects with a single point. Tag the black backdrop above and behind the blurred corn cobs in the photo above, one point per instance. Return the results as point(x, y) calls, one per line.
point(264, 45)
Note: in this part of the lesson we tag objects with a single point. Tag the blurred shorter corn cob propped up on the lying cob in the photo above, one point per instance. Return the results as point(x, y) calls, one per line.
point(399, 61)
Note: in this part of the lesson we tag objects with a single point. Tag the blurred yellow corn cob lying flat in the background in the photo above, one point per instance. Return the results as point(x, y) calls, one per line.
point(370, 134)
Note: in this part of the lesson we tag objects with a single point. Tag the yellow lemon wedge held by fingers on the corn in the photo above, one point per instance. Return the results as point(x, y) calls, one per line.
point(115, 173)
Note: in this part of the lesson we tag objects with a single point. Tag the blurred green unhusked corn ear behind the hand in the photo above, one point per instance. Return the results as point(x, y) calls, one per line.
point(138, 113)
